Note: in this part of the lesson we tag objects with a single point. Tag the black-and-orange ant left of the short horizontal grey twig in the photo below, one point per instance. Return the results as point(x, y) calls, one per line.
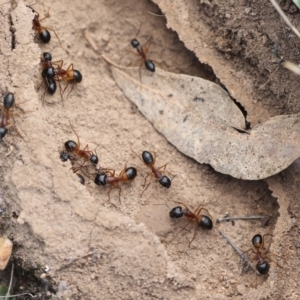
point(199, 220)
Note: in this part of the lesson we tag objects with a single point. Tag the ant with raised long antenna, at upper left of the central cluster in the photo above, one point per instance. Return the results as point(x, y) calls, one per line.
point(74, 147)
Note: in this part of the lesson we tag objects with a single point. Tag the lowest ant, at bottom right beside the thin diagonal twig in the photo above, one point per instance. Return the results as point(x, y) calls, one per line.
point(262, 265)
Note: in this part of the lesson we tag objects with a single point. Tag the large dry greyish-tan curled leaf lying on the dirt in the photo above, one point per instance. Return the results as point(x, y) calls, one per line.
point(199, 118)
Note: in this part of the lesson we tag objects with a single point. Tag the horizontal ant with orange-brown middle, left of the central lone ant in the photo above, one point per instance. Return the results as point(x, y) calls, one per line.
point(107, 176)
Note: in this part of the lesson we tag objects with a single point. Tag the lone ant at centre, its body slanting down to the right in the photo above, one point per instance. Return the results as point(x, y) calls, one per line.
point(149, 161)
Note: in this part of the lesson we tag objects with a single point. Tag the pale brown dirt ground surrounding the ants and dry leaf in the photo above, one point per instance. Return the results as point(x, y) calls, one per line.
point(131, 249)
